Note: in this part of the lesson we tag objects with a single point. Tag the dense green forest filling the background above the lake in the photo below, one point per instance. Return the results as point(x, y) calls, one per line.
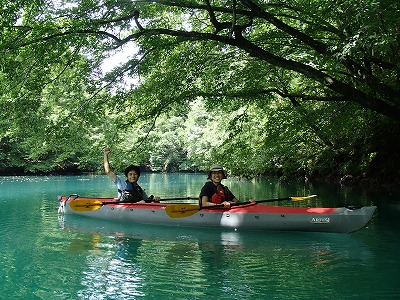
point(291, 88)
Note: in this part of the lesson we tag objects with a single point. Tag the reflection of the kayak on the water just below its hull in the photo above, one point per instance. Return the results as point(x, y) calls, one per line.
point(90, 232)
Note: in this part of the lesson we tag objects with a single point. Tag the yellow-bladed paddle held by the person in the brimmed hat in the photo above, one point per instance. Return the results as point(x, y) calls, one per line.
point(186, 210)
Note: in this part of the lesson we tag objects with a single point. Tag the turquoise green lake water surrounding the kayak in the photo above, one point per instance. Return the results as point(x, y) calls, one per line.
point(49, 256)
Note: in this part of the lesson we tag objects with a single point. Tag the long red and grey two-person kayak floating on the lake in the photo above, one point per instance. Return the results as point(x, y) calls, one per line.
point(246, 216)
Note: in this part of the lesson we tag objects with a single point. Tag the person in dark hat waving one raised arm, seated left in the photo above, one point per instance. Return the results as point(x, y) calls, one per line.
point(128, 190)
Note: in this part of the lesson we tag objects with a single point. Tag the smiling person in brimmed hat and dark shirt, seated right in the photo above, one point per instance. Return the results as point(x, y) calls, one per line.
point(214, 192)
